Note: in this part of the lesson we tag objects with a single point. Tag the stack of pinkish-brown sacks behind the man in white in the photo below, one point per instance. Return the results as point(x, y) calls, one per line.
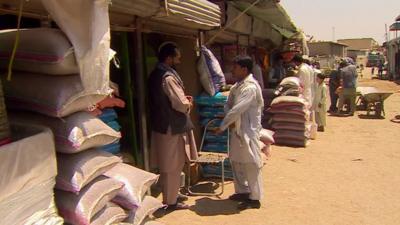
point(290, 121)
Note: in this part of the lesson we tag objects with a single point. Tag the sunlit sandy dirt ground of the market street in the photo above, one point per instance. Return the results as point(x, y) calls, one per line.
point(349, 175)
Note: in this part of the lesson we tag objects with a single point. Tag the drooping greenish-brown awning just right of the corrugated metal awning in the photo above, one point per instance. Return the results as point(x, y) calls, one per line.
point(270, 12)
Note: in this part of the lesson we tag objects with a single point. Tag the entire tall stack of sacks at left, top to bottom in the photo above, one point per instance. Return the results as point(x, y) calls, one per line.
point(92, 186)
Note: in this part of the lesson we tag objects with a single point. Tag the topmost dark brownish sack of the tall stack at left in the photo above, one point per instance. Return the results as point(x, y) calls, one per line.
point(40, 50)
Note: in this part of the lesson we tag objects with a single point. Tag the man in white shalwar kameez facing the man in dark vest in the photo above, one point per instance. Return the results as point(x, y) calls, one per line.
point(244, 108)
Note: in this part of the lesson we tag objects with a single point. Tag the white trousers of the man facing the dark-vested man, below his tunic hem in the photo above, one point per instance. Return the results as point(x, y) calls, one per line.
point(247, 178)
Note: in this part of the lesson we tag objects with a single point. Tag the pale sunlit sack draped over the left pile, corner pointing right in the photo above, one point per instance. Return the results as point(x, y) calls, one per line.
point(137, 183)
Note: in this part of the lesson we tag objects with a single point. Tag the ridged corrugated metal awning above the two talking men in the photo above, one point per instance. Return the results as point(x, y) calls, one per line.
point(196, 14)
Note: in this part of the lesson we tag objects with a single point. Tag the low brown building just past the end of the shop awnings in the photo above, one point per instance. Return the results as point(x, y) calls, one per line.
point(327, 53)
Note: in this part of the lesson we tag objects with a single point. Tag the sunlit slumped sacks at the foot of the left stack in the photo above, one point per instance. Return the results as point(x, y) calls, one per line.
point(94, 187)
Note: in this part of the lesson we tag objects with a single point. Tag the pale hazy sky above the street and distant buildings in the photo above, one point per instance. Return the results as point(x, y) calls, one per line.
point(347, 18)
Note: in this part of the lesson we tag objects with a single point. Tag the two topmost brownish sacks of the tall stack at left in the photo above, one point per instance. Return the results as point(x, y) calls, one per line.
point(45, 75)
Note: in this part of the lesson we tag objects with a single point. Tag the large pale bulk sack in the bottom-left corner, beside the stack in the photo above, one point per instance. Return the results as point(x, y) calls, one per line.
point(28, 167)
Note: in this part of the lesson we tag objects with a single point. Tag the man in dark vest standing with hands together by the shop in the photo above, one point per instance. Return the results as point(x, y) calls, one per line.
point(172, 141)
